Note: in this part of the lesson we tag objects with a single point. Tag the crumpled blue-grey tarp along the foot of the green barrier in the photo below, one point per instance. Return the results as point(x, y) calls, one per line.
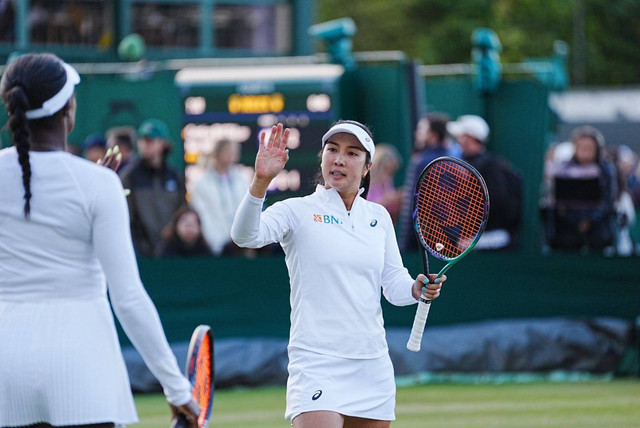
point(593, 346)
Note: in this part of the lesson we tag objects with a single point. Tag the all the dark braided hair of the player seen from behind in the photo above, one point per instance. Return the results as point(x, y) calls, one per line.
point(27, 83)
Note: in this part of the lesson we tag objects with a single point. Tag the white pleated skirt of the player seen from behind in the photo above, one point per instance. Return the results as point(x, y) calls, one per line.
point(61, 363)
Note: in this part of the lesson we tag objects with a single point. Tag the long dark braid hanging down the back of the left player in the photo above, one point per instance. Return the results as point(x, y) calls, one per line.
point(17, 105)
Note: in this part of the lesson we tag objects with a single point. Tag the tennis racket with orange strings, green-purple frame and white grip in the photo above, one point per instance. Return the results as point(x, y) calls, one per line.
point(451, 209)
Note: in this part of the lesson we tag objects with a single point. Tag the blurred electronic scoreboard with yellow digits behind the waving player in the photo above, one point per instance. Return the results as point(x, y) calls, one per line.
point(237, 103)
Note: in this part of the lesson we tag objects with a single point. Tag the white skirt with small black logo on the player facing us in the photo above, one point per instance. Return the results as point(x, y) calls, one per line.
point(363, 388)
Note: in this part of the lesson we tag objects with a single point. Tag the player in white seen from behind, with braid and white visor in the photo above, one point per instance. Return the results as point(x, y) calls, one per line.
point(65, 243)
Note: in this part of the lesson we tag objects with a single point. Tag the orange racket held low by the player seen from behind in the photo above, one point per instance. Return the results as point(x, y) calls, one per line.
point(199, 370)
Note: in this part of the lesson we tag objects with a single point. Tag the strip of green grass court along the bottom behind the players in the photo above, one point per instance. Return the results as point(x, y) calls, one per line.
point(545, 404)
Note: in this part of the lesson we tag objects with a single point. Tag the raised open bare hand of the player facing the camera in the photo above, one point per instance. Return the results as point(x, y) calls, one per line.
point(270, 160)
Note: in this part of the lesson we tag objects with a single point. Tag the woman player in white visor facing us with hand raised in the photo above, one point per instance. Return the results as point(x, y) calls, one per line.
point(341, 251)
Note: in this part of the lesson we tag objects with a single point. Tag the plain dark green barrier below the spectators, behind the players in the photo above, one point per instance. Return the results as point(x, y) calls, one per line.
point(250, 298)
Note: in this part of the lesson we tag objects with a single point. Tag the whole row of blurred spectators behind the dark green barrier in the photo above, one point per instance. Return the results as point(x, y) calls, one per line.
point(590, 191)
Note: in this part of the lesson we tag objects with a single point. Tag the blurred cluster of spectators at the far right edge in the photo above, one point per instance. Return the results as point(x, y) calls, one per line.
point(590, 195)
